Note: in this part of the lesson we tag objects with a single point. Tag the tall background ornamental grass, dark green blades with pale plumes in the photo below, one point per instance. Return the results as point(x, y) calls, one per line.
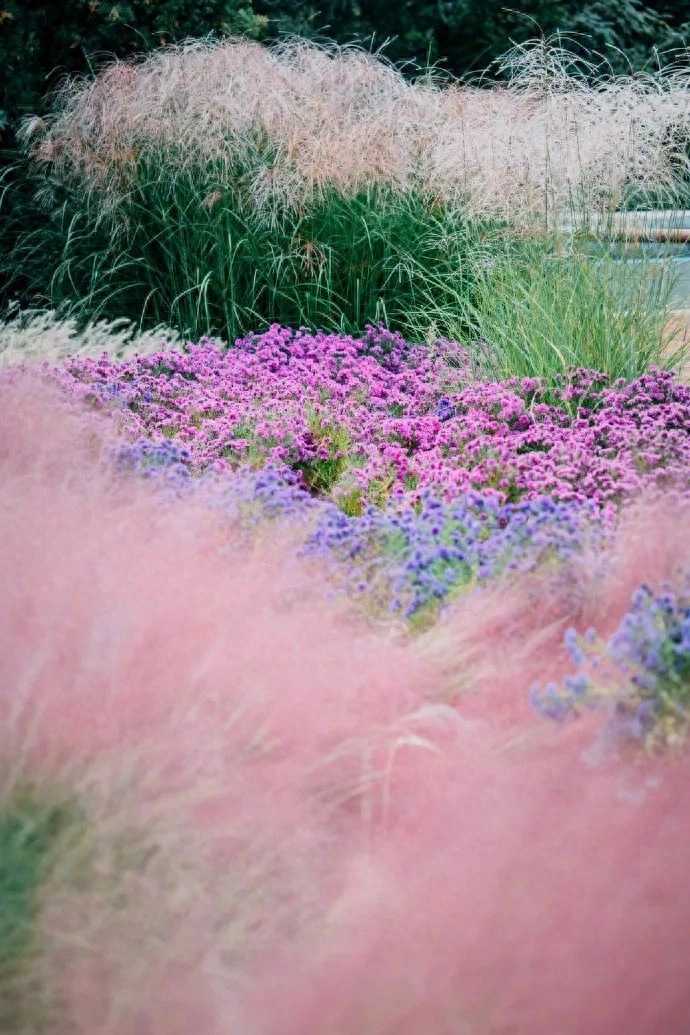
point(222, 187)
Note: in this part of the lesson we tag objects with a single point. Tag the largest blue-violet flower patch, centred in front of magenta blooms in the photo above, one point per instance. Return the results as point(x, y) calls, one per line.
point(415, 559)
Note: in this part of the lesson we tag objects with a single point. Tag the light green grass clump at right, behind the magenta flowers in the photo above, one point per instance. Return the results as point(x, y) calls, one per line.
point(534, 313)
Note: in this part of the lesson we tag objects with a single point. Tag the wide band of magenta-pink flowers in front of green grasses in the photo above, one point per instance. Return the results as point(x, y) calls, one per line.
point(372, 420)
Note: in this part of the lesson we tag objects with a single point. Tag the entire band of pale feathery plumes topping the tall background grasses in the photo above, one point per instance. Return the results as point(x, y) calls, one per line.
point(544, 144)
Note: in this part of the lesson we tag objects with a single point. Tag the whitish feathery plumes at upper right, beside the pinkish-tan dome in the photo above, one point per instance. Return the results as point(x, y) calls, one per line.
point(566, 139)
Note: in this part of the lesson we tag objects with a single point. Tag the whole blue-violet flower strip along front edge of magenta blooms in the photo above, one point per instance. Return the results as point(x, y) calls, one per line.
point(410, 560)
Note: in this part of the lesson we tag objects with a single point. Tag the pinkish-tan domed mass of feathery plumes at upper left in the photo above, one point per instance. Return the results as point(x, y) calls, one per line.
point(295, 117)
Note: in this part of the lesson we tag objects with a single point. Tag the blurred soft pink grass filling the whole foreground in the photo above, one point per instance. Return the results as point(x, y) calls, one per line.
point(323, 845)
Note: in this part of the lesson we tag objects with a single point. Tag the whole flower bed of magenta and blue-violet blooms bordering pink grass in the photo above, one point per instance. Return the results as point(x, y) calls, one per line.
point(410, 481)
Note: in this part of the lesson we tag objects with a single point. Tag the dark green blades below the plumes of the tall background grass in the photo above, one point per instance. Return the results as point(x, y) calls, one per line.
point(186, 247)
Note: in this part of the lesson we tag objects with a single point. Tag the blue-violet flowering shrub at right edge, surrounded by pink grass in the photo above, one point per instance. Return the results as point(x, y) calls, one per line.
point(641, 675)
